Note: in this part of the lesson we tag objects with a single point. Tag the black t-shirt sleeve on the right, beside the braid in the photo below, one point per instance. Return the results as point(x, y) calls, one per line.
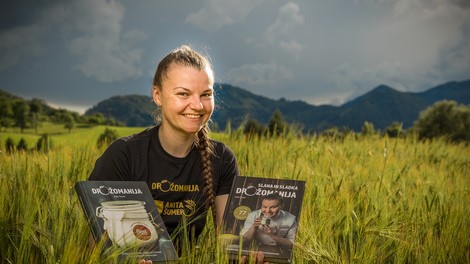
point(228, 170)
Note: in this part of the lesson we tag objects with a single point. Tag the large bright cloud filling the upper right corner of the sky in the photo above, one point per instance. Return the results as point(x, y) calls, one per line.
point(415, 46)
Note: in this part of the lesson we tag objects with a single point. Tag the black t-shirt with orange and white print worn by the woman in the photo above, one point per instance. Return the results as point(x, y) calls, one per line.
point(176, 183)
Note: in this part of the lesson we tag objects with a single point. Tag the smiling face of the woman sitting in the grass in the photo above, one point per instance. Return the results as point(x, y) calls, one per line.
point(186, 98)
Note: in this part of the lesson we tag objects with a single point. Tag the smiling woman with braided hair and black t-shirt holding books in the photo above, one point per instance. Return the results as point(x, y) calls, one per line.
point(188, 173)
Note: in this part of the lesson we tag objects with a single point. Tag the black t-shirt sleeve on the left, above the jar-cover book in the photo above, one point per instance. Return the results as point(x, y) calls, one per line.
point(113, 165)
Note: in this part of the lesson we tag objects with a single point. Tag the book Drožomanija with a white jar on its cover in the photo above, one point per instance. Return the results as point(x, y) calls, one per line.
point(125, 213)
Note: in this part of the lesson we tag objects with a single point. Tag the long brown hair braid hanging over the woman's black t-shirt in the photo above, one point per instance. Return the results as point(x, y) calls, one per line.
point(207, 150)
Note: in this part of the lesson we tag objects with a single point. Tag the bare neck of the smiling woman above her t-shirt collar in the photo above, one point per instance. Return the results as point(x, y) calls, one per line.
point(175, 144)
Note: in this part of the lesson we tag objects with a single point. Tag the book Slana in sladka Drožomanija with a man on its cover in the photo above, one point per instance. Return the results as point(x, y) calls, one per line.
point(262, 214)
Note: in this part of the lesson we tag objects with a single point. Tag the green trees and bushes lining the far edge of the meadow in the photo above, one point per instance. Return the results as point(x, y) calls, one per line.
point(443, 119)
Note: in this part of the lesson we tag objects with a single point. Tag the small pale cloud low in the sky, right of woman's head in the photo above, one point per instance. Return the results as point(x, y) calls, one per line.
point(259, 74)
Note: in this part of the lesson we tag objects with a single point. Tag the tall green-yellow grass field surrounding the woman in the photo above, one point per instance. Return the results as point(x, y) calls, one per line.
point(368, 199)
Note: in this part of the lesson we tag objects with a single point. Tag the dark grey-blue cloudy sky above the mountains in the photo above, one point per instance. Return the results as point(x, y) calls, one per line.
point(75, 53)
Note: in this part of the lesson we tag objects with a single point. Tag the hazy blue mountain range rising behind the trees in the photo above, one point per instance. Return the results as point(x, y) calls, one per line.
point(381, 106)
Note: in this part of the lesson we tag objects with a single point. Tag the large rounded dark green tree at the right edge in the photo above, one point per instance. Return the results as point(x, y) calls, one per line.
point(444, 119)
